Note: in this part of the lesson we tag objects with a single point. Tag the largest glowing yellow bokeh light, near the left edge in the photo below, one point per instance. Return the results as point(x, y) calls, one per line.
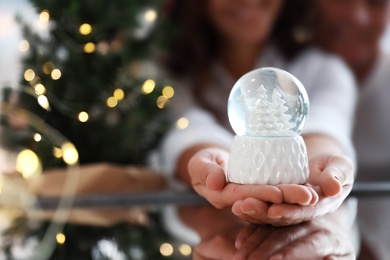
point(28, 164)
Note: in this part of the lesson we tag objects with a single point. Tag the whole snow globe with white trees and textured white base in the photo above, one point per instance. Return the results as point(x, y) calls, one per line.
point(267, 109)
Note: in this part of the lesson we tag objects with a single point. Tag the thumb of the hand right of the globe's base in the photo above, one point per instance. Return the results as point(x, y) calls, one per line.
point(339, 172)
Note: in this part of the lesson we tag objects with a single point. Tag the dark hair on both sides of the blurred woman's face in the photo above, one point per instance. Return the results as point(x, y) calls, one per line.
point(196, 42)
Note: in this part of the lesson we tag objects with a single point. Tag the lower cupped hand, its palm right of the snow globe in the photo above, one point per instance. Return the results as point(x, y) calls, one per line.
point(330, 176)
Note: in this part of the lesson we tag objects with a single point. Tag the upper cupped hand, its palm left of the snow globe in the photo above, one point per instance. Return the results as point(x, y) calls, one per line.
point(207, 171)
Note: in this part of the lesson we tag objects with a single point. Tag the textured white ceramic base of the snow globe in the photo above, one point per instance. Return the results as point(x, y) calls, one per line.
point(260, 160)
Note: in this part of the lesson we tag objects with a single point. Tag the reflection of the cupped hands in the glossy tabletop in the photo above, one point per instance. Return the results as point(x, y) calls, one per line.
point(317, 239)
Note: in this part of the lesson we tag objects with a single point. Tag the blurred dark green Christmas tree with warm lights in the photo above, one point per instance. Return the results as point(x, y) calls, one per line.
point(91, 67)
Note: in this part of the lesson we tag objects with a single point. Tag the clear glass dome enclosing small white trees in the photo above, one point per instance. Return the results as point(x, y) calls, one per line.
point(268, 102)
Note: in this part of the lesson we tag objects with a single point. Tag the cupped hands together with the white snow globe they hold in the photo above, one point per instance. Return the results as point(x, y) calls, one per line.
point(271, 175)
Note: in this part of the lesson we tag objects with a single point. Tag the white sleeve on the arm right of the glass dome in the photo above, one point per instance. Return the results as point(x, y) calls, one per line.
point(332, 95)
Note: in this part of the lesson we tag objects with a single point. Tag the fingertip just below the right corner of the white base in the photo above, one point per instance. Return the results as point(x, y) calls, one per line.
point(296, 194)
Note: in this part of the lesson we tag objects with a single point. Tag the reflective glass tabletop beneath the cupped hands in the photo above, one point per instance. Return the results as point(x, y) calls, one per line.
point(169, 224)
